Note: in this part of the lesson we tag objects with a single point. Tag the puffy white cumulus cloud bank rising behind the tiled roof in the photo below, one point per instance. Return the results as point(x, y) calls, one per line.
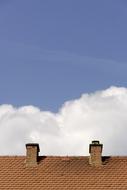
point(98, 116)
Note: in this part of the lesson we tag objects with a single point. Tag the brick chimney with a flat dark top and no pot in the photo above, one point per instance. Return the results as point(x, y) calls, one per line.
point(32, 150)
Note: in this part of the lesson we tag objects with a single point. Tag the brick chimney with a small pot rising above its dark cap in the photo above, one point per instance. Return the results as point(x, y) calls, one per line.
point(95, 150)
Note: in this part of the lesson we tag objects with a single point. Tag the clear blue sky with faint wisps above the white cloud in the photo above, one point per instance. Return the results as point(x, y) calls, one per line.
point(54, 51)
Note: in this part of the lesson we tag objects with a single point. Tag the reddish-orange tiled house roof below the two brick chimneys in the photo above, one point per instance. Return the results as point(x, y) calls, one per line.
point(63, 173)
